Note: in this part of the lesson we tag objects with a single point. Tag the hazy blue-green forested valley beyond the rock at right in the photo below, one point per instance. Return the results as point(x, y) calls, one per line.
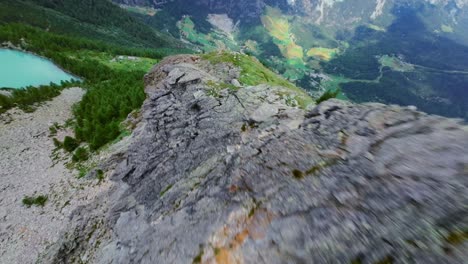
point(437, 84)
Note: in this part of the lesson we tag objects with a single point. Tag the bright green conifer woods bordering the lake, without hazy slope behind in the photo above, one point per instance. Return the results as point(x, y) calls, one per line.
point(113, 90)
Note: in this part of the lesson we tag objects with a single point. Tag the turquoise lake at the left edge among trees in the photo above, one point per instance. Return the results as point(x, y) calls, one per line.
point(20, 69)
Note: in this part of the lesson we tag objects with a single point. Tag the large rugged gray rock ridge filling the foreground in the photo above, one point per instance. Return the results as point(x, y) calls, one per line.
point(243, 178)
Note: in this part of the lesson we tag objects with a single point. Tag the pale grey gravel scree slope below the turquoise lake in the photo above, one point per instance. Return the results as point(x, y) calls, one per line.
point(28, 168)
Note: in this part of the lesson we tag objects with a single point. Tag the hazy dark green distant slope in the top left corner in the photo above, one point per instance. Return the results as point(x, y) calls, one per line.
point(95, 19)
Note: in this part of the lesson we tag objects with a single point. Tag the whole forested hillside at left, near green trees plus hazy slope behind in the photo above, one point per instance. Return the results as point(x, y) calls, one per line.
point(84, 38)
